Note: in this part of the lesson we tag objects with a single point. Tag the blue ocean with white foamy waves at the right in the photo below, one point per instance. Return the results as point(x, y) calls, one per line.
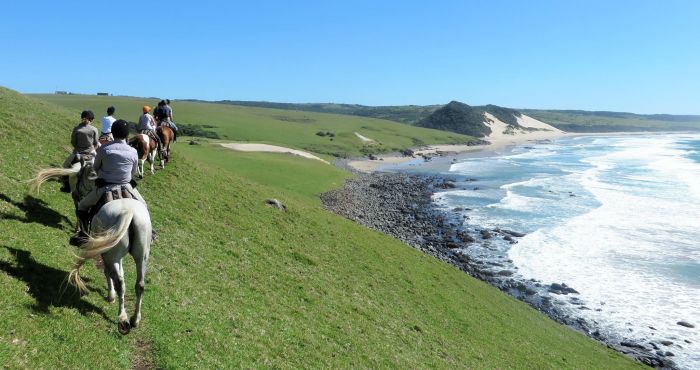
point(615, 217)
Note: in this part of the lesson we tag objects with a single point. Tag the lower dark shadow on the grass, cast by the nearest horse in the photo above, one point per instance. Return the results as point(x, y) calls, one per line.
point(47, 285)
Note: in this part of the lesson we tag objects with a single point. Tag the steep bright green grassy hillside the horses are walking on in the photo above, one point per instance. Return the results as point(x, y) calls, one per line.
point(233, 283)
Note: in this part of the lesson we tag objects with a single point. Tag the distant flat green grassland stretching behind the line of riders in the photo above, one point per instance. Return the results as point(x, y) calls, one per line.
point(275, 126)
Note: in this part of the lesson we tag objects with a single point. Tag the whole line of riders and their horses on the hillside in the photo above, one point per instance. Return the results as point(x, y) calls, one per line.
point(113, 218)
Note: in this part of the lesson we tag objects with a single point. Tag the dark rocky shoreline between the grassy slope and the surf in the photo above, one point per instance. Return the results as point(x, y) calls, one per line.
point(401, 205)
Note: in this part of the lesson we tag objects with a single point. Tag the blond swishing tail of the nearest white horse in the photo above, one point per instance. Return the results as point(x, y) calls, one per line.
point(98, 244)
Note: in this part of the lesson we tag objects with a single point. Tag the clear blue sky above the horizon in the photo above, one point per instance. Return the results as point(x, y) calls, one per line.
point(638, 56)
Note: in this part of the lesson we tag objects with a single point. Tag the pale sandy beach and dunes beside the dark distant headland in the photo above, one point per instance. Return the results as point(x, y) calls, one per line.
point(499, 138)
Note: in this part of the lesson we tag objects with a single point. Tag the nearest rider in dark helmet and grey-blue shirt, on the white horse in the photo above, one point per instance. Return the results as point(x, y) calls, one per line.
point(115, 163)
